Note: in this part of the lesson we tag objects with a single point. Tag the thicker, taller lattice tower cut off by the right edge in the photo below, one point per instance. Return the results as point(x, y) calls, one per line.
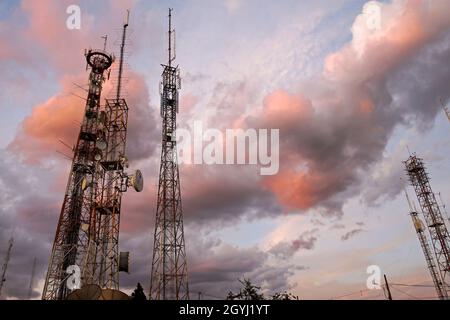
point(434, 219)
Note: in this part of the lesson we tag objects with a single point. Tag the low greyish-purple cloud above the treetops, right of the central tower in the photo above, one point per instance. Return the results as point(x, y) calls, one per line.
point(215, 267)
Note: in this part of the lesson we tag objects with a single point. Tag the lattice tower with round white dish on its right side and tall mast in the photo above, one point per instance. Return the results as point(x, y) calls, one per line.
point(102, 265)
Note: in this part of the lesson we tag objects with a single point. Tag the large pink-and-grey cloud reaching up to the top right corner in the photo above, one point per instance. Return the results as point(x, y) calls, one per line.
point(336, 126)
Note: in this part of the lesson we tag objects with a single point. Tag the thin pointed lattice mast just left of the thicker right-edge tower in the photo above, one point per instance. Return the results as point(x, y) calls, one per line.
point(420, 230)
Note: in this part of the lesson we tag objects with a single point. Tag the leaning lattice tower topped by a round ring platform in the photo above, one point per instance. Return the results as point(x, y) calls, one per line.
point(75, 229)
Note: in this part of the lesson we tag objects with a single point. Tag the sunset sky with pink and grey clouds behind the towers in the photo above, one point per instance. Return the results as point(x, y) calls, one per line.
point(349, 101)
